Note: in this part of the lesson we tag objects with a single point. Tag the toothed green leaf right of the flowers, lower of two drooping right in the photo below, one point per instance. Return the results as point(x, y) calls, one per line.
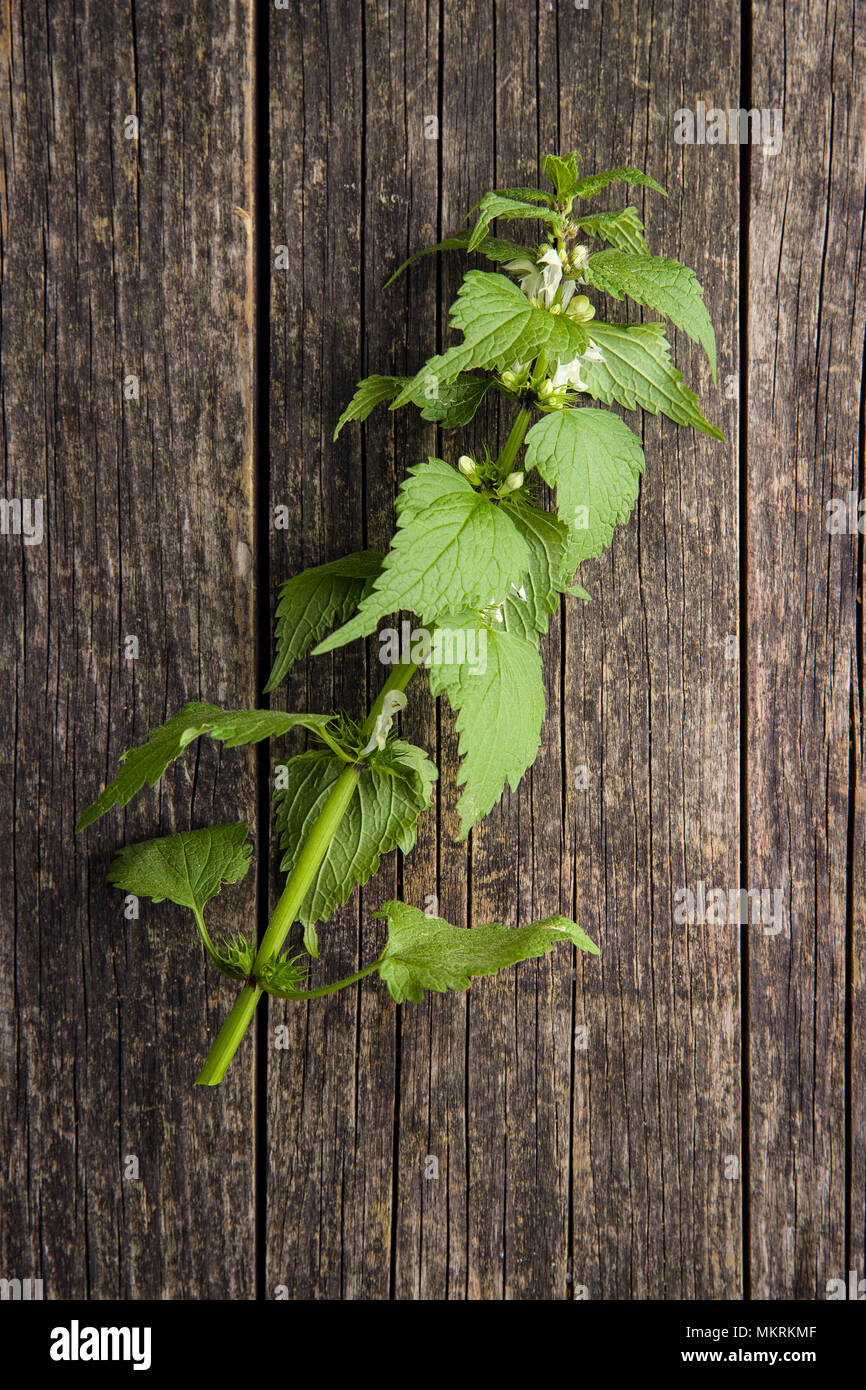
point(637, 372)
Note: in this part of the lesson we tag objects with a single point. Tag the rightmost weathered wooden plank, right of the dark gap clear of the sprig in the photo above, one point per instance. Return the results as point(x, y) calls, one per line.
point(806, 357)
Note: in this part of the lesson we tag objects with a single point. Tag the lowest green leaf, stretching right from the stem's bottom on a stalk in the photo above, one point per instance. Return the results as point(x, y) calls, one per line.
point(430, 954)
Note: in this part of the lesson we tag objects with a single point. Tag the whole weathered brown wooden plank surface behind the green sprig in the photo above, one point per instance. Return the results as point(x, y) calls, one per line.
point(685, 1117)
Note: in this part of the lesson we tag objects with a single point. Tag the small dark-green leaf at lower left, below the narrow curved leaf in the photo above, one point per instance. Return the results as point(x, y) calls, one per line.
point(188, 868)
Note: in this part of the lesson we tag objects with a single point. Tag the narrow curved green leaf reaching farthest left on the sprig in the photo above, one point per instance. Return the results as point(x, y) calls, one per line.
point(233, 728)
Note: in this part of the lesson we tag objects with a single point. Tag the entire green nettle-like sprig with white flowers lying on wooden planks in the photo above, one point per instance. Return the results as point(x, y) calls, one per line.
point(480, 562)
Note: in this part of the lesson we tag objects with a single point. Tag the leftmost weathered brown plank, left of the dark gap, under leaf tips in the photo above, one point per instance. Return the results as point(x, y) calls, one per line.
point(123, 258)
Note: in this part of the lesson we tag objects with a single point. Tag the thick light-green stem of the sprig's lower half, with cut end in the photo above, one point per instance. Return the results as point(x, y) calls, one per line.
point(293, 897)
